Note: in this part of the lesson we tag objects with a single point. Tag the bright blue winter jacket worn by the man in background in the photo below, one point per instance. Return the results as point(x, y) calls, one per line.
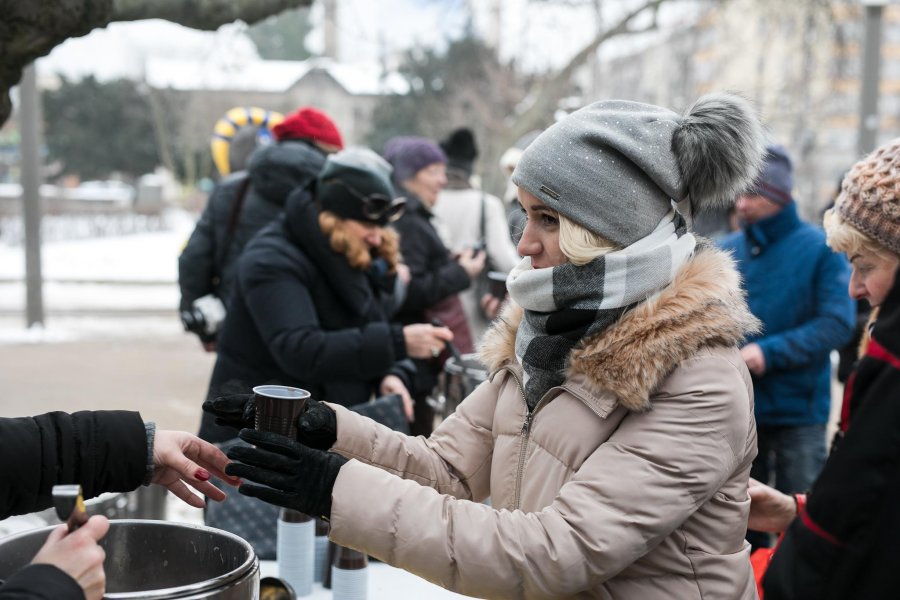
point(797, 287)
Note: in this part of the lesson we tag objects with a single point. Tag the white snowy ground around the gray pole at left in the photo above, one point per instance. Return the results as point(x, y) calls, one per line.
point(114, 286)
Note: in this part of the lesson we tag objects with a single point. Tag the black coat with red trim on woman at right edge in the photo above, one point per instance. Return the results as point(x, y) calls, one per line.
point(845, 546)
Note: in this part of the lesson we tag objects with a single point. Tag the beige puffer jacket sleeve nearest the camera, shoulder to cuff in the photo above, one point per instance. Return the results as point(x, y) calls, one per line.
point(634, 490)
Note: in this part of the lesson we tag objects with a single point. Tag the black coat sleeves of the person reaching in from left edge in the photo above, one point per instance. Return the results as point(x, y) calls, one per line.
point(104, 451)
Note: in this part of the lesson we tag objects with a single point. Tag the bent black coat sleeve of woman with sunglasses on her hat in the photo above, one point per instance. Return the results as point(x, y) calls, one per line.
point(278, 298)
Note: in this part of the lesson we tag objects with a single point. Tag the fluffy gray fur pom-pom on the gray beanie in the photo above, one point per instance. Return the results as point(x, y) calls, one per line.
point(719, 146)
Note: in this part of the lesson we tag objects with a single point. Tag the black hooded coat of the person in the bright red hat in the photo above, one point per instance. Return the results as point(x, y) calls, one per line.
point(208, 263)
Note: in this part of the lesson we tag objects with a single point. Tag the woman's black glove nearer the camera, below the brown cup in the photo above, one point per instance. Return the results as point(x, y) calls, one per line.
point(292, 475)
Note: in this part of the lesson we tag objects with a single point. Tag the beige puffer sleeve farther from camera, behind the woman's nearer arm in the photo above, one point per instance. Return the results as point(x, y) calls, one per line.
point(455, 460)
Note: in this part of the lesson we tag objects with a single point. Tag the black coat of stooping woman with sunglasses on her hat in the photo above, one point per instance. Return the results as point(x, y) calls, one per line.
point(301, 315)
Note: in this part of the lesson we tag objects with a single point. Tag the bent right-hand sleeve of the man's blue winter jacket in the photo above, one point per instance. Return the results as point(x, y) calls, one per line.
point(831, 324)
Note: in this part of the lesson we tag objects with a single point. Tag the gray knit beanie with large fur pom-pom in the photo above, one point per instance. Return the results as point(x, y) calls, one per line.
point(615, 166)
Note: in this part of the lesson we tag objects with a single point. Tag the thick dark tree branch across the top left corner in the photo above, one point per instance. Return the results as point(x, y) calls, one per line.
point(30, 29)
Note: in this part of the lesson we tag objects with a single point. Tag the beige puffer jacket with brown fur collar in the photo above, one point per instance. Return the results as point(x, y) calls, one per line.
point(629, 481)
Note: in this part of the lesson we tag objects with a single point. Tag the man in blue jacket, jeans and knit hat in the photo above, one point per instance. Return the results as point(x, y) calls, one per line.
point(797, 287)
